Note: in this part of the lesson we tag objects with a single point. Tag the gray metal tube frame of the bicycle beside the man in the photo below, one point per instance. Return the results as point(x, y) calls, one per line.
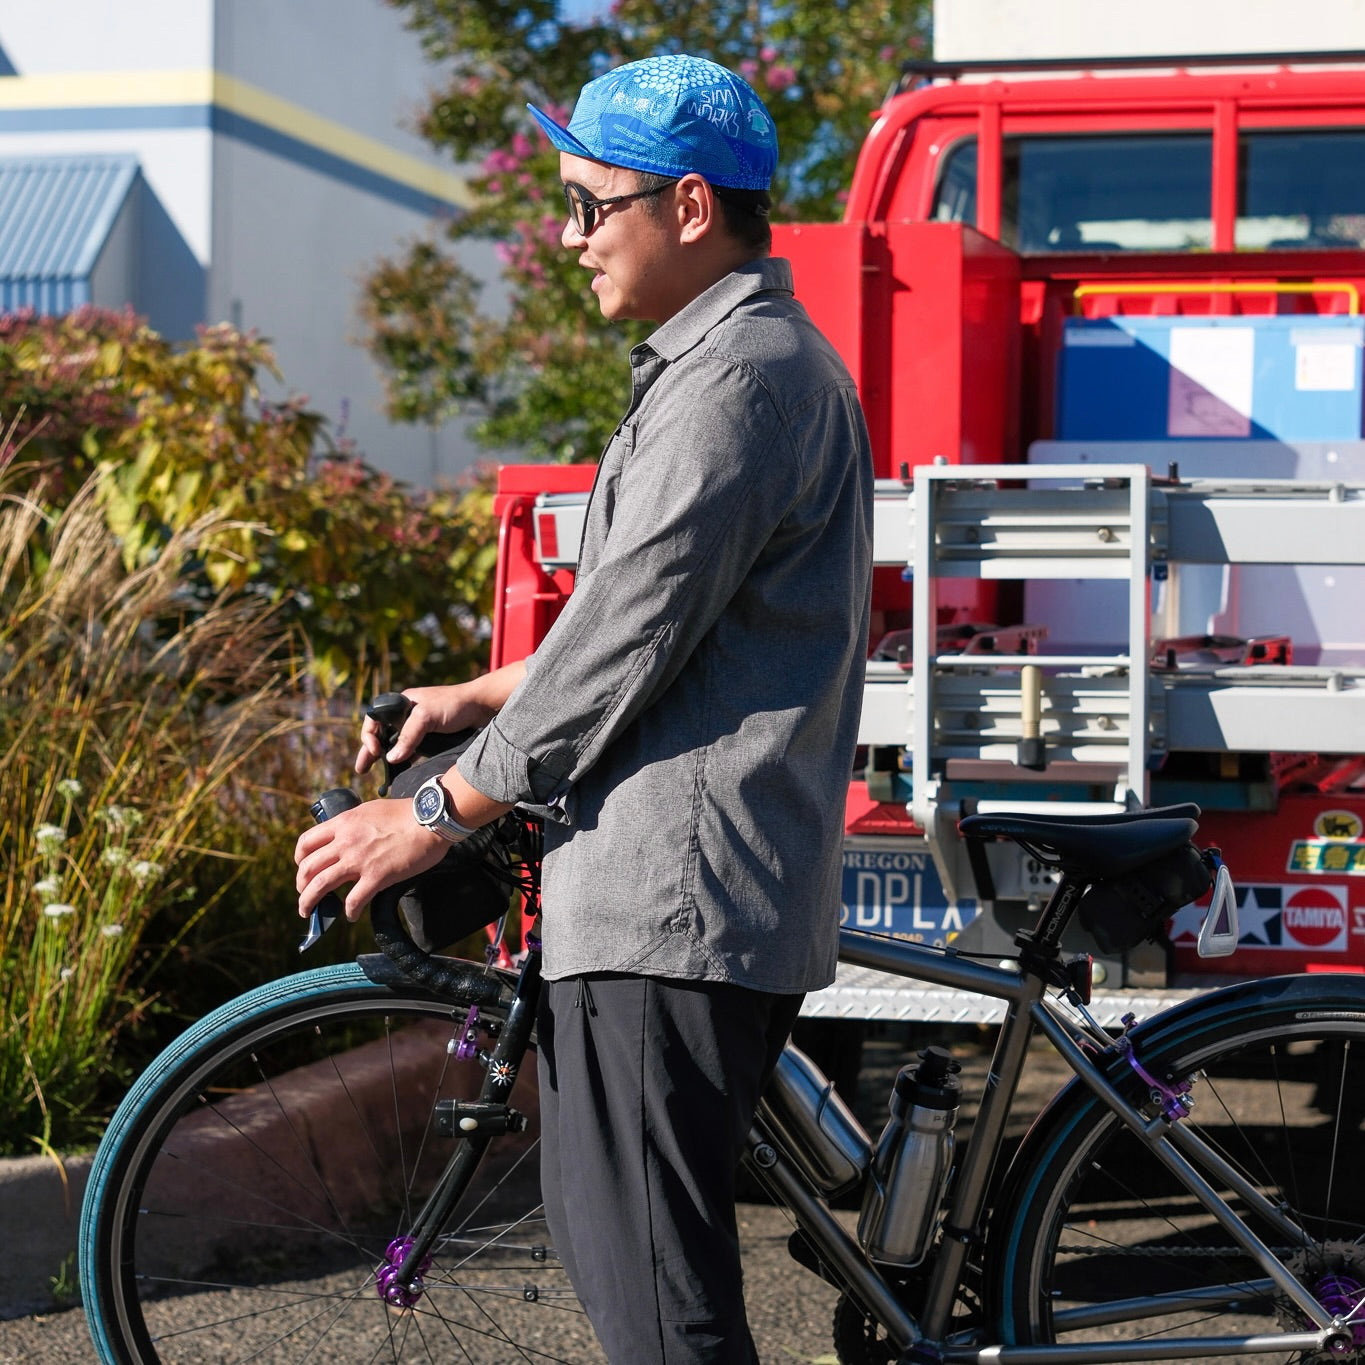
point(1181, 1151)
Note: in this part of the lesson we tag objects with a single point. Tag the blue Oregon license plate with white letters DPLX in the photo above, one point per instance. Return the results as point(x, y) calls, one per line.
point(900, 893)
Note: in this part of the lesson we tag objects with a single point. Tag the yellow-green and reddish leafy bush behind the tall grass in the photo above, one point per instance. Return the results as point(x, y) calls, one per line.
point(380, 579)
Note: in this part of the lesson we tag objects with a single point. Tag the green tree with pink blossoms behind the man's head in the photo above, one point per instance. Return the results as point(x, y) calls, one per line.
point(549, 375)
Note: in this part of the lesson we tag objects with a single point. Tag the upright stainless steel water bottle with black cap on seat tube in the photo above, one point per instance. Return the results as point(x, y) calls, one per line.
point(911, 1164)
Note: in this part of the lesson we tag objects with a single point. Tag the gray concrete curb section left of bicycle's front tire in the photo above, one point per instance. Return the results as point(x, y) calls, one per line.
point(40, 1220)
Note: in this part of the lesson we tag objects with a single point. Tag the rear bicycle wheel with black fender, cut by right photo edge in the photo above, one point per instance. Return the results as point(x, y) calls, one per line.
point(1101, 1243)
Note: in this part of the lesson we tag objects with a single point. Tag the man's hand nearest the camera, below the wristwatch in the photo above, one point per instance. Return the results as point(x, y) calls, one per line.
point(371, 847)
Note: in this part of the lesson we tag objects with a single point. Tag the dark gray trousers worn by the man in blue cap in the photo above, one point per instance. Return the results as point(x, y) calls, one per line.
point(648, 1091)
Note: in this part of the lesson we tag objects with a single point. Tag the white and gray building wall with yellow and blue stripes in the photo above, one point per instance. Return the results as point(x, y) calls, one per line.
point(279, 164)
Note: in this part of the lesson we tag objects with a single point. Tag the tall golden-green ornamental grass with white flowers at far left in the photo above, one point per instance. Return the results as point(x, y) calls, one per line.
point(128, 706)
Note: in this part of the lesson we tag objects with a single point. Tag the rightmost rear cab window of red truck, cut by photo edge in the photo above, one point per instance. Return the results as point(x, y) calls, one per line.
point(1302, 189)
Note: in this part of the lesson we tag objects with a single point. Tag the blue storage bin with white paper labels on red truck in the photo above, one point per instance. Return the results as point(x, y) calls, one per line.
point(1145, 379)
